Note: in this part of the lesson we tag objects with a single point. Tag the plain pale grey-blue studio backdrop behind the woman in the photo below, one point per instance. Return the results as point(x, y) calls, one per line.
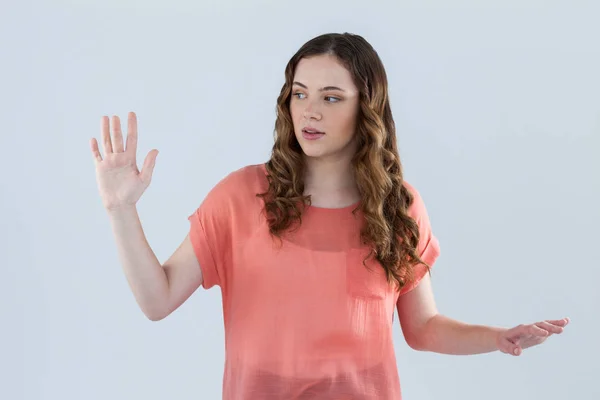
point(497, 109)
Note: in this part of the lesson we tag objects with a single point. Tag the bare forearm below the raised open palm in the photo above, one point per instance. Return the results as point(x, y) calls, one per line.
point(144, 273)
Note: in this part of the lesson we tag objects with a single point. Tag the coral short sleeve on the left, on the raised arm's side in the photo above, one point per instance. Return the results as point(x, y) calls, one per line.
point(210, 234)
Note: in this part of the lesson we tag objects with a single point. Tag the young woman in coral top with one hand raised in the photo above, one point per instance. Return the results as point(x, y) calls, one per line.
point(313, 250)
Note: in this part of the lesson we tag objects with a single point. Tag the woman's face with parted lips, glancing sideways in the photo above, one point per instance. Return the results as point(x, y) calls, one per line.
point(324, 107)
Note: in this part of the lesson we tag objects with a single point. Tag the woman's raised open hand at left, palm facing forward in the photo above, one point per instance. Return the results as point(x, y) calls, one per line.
point(120, 182)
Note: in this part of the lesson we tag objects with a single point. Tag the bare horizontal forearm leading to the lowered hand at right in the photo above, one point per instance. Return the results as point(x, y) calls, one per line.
point(447, 336)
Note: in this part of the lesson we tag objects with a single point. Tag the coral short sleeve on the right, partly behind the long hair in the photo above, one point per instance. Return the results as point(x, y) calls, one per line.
point(428, 247)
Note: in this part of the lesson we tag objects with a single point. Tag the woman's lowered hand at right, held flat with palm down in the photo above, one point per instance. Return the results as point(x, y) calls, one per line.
point(515, 340)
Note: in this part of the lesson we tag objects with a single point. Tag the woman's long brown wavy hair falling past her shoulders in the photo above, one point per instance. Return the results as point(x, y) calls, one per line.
point(390, 232)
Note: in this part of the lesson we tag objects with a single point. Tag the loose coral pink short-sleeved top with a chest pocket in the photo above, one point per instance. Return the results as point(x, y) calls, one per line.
point(303, 318)
